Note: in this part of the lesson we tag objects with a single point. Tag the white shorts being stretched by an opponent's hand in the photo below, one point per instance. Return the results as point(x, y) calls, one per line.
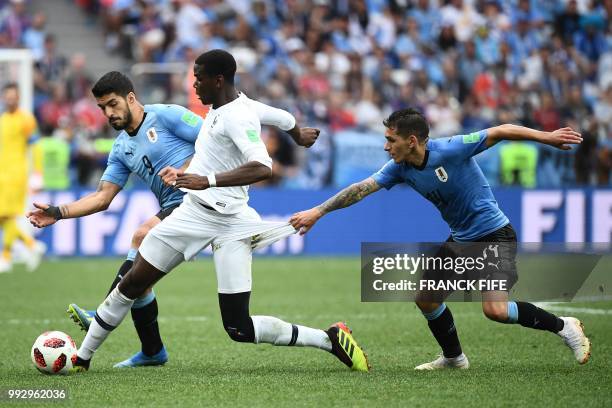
point(191, 228)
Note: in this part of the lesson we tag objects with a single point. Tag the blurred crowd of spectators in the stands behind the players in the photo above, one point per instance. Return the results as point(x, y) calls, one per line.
point(346, 64)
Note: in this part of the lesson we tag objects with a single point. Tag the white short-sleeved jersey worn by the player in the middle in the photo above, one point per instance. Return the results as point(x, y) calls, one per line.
point(229, 137)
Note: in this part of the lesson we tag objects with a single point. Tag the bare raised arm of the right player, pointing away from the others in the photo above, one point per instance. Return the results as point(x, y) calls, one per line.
point(560, 138)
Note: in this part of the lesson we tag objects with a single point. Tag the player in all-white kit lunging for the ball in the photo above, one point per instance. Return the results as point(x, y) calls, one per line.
point(229, 156)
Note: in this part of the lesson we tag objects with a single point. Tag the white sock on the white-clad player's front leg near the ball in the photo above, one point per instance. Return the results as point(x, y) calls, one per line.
point(111, 312)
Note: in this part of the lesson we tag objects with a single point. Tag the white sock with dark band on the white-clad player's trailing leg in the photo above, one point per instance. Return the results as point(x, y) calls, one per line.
point(275, 331)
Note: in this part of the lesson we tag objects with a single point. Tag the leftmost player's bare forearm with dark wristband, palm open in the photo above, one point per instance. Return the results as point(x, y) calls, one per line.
point(46, 214)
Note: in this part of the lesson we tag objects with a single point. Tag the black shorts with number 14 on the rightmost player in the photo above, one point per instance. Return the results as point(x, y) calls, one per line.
point(497, 254)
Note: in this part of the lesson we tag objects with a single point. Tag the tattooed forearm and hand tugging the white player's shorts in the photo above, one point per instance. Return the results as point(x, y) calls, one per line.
point(305, 220)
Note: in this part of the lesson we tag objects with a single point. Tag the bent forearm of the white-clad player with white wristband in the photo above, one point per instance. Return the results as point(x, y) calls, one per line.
point(249, 173)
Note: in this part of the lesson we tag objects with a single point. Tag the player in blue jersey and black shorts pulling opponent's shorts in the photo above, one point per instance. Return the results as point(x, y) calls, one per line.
point(445, 173)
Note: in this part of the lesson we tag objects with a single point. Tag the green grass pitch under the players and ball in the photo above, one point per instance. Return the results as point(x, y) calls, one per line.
point(511, 365)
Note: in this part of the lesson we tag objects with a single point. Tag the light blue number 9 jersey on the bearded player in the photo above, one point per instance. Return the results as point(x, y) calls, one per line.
point(166, 137)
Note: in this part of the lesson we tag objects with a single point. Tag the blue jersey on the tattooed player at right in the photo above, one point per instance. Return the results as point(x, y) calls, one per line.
point(451, 179)
